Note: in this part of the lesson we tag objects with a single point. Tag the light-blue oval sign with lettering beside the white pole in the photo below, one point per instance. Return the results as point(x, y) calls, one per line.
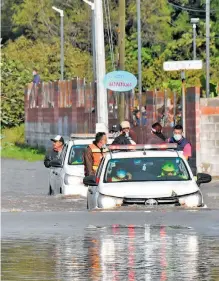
point(120, 81)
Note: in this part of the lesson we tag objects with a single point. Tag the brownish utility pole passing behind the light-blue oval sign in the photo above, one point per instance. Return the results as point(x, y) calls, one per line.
point(121, 55)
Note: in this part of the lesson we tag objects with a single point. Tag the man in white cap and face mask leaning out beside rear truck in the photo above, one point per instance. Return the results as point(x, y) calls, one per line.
point(58, 144)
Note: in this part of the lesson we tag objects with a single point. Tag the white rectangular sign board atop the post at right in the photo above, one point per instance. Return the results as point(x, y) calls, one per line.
point(182, 65)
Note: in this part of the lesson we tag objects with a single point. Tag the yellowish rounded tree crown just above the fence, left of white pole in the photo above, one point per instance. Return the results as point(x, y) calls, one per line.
point(46, 58)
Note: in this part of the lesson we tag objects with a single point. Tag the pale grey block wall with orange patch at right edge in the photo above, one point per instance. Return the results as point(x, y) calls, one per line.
point(209, 136)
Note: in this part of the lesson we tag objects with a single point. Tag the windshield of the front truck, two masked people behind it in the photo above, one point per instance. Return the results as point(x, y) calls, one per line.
point(146, 169)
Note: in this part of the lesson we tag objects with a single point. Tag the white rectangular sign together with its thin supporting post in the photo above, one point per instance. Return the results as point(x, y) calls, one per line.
point(182, 66)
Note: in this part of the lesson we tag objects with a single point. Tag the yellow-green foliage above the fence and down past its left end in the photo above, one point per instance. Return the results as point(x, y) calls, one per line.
point(18, 60)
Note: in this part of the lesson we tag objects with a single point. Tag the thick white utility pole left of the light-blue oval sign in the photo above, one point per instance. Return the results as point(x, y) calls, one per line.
point(102, 104)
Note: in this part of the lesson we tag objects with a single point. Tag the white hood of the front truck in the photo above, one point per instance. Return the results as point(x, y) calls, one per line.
point(148, 189)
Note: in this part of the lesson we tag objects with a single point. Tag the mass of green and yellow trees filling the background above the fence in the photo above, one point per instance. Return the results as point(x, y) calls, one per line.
point(34, 30)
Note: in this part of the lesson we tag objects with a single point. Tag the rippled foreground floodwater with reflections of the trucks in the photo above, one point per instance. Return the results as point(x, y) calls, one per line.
point(114, 253)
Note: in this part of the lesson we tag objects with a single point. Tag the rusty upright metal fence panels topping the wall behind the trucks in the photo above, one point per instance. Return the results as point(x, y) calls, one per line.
point(161, 106)
